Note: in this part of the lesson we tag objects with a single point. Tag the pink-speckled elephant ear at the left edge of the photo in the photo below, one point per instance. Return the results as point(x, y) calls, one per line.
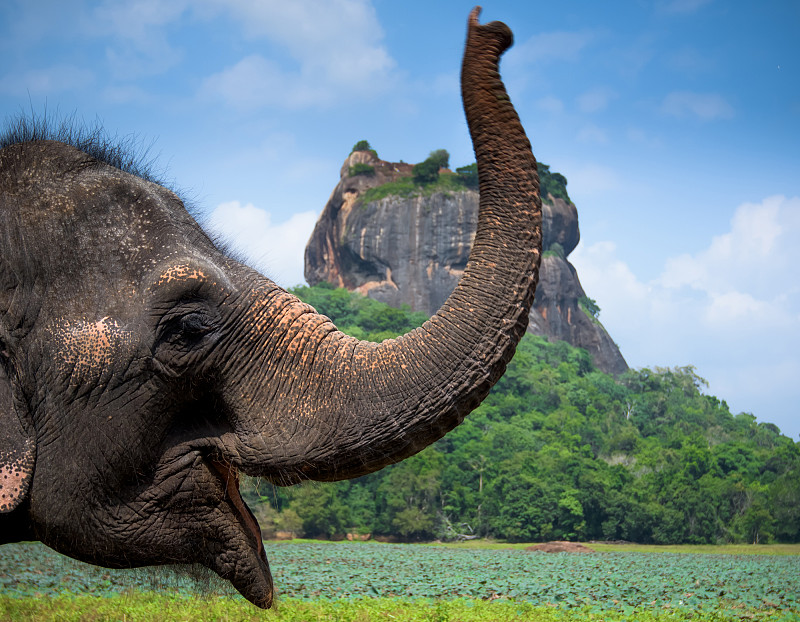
point(17, 451)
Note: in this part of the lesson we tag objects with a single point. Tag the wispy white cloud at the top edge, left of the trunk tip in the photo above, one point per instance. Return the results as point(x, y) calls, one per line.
point(335, 48)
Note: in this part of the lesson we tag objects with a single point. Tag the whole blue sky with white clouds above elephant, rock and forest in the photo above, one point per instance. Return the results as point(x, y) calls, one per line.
point(676, 122)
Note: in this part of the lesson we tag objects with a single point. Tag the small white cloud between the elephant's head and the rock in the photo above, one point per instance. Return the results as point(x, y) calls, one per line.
point(276, 249)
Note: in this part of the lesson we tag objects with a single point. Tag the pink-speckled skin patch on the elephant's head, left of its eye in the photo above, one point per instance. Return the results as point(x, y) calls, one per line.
point(85, 349)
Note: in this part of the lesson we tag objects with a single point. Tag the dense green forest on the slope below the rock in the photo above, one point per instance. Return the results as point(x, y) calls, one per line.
point(559, 451)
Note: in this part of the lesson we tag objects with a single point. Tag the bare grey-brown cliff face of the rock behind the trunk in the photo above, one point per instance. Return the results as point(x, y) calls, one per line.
point(414, 249)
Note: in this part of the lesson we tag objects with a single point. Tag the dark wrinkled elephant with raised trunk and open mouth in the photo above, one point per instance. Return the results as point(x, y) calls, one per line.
point(143, 367)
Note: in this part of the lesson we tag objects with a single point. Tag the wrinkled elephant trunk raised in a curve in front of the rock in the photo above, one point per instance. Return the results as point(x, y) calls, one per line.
point(346, 408)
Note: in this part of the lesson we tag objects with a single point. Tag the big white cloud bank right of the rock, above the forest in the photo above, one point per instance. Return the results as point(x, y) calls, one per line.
point(730, 309)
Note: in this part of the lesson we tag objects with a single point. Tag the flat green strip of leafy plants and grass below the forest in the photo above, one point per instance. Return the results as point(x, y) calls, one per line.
point(370, 581)
